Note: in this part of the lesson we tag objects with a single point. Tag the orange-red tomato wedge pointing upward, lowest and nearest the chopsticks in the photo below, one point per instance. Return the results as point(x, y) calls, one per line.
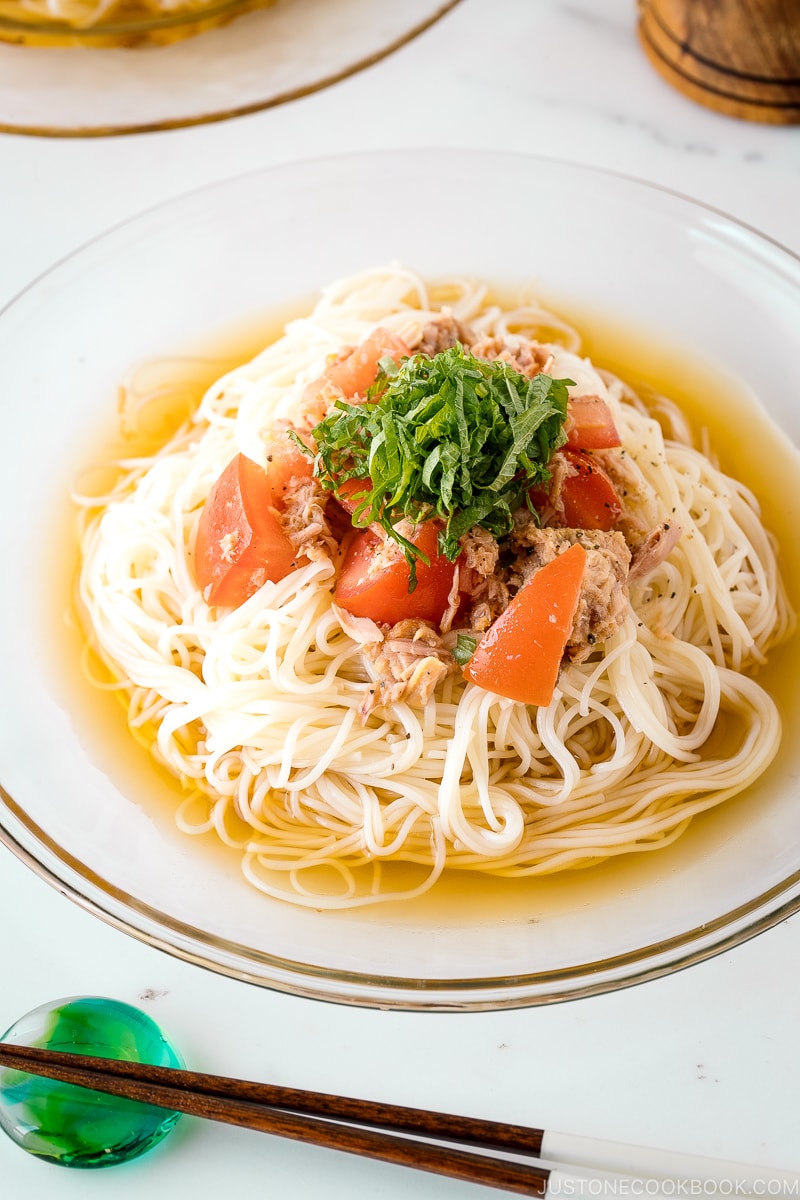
point(520, 656)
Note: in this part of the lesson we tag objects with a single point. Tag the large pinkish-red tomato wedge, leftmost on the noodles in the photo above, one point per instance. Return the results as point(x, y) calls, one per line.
point(240, 542)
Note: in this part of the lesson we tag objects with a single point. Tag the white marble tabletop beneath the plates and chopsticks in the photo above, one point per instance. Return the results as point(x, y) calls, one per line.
point(705, 1061)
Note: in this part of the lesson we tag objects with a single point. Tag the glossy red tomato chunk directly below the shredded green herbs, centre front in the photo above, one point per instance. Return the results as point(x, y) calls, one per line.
point(376, 579)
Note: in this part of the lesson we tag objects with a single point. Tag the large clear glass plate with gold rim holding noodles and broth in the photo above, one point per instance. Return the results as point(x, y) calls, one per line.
point(81, 807)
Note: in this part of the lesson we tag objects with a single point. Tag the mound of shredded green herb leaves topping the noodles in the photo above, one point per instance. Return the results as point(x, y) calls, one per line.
point(453, 437)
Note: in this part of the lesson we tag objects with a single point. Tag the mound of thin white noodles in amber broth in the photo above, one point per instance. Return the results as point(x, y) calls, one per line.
point(257, 711)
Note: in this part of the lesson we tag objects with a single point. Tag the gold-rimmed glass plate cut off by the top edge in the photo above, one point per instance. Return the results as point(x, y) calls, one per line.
point(258, 61)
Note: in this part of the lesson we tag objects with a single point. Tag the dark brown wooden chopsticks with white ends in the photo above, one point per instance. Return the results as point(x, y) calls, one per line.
point(488, 1153)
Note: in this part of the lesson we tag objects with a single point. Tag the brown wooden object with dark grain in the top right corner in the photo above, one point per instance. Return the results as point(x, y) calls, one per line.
point(738, 57)
